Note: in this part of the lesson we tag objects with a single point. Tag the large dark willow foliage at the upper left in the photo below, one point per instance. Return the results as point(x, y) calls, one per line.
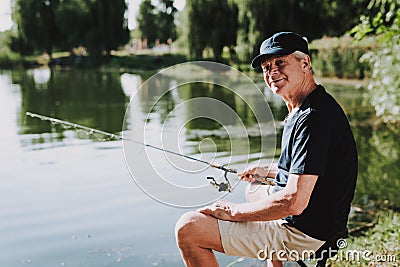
point(46, 25)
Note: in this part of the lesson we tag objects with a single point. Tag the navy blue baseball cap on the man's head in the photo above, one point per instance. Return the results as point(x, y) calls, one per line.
point(281, 43)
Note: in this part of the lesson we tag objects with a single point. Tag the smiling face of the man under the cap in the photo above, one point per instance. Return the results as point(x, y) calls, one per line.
point(283, 74)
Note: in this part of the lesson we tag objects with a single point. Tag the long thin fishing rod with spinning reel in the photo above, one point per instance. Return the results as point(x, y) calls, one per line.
point(222, 187)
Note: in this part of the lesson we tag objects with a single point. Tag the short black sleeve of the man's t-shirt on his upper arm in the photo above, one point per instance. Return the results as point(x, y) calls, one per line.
point(310, 145)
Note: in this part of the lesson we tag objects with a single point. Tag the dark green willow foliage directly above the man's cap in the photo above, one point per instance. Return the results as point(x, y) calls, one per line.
point(312, 18)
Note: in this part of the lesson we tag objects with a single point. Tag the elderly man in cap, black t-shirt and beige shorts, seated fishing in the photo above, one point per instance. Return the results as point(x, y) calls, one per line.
point(315, 176)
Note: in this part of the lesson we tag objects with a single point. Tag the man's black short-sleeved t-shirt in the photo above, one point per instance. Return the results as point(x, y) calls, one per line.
point(317, 140)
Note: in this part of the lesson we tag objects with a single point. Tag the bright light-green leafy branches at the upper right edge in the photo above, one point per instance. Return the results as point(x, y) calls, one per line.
point(385, 61)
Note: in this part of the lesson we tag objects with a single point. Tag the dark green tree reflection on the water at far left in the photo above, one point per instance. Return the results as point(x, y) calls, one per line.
point(82, 96)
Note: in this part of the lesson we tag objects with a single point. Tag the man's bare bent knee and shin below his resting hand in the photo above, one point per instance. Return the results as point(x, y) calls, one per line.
point(197, 235)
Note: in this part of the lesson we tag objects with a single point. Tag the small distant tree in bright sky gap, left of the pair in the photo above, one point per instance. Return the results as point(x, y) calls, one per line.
point(148, 22)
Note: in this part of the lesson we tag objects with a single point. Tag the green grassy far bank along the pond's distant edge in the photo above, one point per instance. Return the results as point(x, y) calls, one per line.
point(327, 61)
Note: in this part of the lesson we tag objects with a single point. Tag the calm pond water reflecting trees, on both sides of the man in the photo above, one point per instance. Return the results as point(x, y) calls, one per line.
point(69, 198)
